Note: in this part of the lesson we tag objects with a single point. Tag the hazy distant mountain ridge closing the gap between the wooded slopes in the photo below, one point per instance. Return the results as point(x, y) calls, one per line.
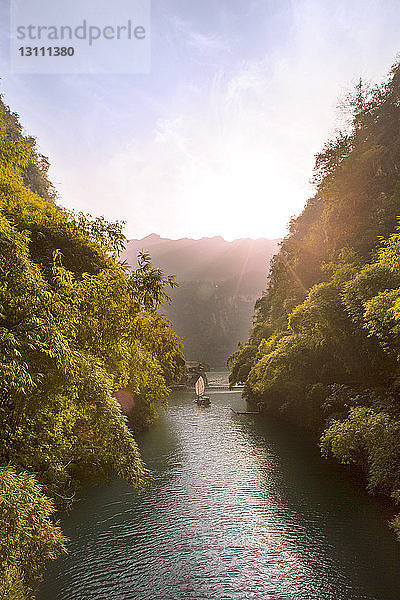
point(219, 282)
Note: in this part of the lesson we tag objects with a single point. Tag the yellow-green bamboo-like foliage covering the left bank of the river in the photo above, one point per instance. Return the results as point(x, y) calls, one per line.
point(75, 326)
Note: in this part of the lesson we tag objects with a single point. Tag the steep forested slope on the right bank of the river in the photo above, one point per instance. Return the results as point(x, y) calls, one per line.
point(325, 347)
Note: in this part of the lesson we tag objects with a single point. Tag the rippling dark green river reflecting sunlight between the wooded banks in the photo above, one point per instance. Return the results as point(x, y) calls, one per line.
point(239, 508)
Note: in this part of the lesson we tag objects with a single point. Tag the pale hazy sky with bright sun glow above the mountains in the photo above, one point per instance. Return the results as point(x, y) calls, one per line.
point(219, 138)
